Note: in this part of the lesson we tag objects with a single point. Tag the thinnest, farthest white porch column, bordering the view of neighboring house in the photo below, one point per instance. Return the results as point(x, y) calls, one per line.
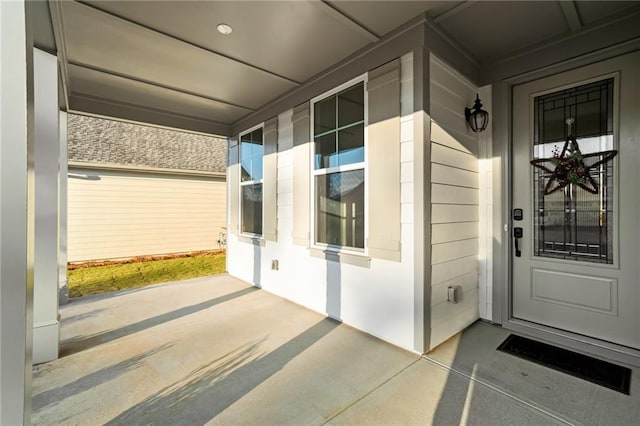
point(63, 287)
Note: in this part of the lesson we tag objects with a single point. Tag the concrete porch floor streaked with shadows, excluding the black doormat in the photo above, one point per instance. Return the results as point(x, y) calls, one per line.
point(215, 350)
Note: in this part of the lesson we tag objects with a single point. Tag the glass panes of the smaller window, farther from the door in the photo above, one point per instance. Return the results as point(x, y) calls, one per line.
point(251, 153)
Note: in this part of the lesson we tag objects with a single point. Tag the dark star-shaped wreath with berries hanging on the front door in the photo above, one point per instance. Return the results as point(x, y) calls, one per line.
point(570, 166)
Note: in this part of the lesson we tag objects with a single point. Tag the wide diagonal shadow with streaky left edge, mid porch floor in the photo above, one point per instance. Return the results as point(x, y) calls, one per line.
point(211, 389)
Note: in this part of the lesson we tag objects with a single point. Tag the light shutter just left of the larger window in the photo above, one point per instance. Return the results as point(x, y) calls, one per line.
point(301, 174)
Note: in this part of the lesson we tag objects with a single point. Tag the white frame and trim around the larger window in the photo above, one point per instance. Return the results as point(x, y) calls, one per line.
point(354, 166)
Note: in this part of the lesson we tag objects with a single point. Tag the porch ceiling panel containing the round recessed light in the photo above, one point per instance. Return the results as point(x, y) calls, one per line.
point(291, 39)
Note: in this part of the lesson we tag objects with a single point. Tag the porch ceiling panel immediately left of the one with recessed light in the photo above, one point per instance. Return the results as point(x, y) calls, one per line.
point(113, 45)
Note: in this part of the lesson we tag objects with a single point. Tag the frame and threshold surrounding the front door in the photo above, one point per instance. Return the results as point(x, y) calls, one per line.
point(503, 243)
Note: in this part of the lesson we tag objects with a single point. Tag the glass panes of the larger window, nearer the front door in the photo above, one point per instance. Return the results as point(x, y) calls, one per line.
point(339, 168)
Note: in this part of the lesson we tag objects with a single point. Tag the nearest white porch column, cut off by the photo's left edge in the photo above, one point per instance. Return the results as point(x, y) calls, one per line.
point(16, 217)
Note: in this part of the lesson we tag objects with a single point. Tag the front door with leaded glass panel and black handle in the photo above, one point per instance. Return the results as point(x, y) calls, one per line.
point(578, 267)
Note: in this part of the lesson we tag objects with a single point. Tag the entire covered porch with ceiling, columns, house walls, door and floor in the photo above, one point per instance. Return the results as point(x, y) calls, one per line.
point(427, 204)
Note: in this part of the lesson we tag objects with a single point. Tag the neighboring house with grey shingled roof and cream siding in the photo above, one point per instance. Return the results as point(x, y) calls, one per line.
point(138, 190)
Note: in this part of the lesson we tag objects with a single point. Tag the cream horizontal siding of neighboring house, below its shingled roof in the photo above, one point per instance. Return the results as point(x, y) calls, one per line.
point(114, 214)
